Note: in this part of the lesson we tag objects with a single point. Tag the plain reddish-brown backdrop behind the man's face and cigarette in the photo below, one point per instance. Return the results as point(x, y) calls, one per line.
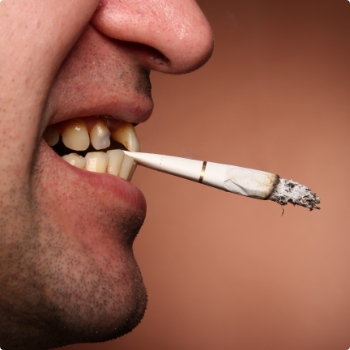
point(226, 272)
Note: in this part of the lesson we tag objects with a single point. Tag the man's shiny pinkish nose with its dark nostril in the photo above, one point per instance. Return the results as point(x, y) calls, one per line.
point(171, 36)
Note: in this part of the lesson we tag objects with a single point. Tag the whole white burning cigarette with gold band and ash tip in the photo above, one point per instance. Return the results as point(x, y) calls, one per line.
point(242, 181)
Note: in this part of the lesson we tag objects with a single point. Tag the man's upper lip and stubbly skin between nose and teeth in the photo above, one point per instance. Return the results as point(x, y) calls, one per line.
point(102, 87)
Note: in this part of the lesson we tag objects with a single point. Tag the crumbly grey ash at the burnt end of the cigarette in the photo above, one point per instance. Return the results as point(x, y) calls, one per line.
point(288, 191)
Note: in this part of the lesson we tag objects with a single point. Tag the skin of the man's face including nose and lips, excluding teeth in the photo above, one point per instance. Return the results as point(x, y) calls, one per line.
point(67, 271)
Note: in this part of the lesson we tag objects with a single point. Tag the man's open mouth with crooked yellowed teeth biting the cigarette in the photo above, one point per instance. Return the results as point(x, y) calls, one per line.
point(95, 144)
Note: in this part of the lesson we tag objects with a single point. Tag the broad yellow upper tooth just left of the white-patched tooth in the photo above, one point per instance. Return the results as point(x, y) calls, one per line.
point(75, 135)
